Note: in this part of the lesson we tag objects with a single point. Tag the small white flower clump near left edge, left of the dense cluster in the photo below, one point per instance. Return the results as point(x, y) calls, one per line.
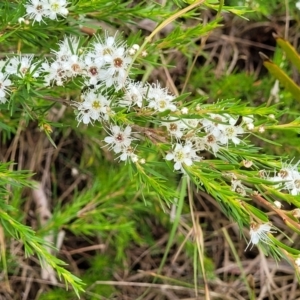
point(22, 65)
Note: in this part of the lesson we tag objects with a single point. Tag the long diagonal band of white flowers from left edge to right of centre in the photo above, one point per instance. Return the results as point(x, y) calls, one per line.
point(103, 72)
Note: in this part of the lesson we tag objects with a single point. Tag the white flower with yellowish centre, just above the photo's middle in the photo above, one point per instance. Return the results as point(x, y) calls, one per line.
point(159, 98)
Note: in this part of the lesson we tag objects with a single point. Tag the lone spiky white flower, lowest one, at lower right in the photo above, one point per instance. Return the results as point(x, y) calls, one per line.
point(259, 233)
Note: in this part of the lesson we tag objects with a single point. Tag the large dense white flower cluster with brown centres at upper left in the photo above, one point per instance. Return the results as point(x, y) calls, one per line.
point(104, 63)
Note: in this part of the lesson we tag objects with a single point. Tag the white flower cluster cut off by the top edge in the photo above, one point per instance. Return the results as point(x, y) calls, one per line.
point(39, 9)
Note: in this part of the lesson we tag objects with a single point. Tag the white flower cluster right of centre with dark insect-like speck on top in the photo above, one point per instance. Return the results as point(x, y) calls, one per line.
point(209, 134)
